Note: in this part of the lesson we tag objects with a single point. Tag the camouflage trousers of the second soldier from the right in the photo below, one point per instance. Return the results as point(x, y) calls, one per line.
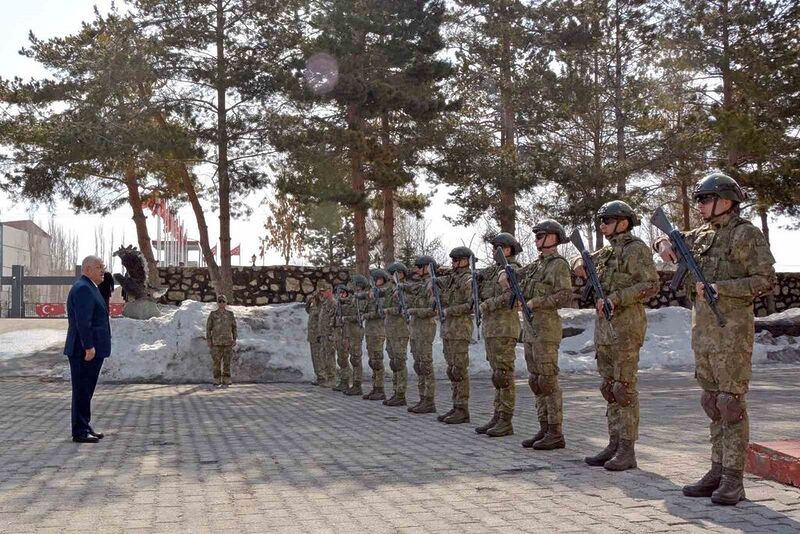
point(619, 367)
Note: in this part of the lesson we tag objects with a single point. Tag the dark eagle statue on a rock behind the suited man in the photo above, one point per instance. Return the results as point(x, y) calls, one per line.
point(140, 297)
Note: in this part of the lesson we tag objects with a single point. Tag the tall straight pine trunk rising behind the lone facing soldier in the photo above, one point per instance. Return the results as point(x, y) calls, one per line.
point(226, 274)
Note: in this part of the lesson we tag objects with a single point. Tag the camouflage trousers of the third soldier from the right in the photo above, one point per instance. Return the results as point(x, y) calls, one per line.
point(541, 359)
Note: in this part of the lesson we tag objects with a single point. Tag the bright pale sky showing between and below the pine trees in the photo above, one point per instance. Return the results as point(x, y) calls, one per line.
point(48, 18)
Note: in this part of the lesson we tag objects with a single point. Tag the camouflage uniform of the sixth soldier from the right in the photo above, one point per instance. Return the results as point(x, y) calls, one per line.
point(422, 330)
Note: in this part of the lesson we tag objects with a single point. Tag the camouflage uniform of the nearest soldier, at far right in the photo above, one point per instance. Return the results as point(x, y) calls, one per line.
point(735, 257)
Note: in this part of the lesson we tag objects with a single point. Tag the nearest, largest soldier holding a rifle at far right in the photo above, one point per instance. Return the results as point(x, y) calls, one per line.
point(735, 258)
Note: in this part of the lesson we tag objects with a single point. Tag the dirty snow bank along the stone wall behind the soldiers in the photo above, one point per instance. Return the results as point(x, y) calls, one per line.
point(272, 345)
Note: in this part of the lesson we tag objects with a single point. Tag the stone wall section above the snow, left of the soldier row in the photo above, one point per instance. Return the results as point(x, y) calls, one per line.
point(252, 286)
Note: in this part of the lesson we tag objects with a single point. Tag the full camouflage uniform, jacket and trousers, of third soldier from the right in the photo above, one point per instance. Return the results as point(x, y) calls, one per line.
point(547, 286)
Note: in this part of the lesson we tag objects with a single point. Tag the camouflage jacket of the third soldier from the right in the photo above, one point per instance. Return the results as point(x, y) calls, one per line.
point(547, 286)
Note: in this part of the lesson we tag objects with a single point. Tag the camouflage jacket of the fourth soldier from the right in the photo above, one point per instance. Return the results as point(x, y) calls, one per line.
point(498, 319)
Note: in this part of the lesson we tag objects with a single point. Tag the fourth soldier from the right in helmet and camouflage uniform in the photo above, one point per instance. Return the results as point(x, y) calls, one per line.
point(501, 329)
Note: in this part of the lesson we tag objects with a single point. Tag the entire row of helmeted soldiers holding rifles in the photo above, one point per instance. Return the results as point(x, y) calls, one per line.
point(729, 264)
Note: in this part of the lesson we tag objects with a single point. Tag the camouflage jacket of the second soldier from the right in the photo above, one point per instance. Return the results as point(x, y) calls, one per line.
point(629, 278)
